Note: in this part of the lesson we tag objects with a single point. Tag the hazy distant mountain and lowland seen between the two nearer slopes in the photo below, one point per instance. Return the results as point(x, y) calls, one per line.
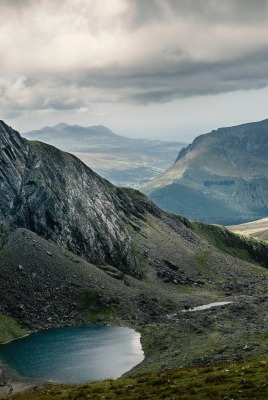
point(121, 160)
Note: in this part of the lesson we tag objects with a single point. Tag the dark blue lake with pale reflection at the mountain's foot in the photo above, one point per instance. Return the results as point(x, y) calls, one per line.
point(74, 354)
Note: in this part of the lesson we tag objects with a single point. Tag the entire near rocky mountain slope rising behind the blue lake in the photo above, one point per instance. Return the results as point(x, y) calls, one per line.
point(76, 249)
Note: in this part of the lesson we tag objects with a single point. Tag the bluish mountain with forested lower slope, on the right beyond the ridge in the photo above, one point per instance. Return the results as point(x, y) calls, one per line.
point(222, 177)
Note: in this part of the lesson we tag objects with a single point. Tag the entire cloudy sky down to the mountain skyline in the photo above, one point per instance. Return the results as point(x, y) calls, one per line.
point(167, 69)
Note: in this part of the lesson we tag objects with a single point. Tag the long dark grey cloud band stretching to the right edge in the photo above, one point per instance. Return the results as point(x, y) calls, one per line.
point(167, 81)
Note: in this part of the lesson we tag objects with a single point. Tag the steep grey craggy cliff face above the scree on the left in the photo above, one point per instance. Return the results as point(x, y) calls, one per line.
point(55, 195)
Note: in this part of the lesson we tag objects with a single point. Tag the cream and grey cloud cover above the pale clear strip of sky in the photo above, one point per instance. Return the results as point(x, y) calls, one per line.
point(68, 54)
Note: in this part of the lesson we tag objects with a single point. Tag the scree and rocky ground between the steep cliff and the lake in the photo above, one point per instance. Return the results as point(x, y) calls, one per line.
point(36, 275)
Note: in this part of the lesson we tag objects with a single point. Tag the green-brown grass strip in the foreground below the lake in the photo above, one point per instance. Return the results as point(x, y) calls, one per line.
point(239, 380)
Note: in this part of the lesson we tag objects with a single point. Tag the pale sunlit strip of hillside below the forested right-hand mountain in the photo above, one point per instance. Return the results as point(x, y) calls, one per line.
point(257, 229)
